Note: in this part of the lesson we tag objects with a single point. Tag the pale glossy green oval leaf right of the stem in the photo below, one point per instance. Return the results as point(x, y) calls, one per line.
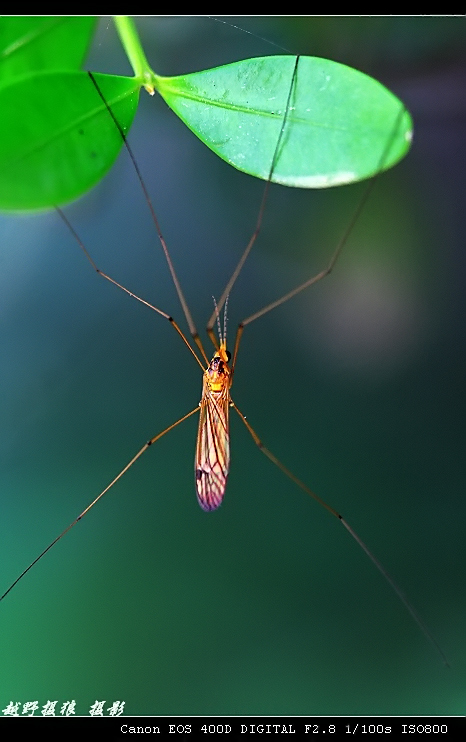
point(342, 125)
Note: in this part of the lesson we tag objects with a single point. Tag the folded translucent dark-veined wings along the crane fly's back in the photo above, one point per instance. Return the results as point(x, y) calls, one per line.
point(213, 449)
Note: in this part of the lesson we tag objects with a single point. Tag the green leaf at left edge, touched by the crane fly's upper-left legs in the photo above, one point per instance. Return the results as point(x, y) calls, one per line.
point(57, 139)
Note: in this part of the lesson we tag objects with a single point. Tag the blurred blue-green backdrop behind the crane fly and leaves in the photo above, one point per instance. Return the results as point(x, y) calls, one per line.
point(266, 606)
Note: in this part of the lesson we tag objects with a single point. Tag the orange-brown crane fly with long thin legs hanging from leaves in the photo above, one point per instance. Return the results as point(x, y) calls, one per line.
point(212, 457)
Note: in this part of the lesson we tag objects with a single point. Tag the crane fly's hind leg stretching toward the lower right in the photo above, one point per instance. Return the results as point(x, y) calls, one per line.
point(409, 607)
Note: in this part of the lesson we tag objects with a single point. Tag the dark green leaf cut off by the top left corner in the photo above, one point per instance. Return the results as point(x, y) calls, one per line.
point(34, 43)
